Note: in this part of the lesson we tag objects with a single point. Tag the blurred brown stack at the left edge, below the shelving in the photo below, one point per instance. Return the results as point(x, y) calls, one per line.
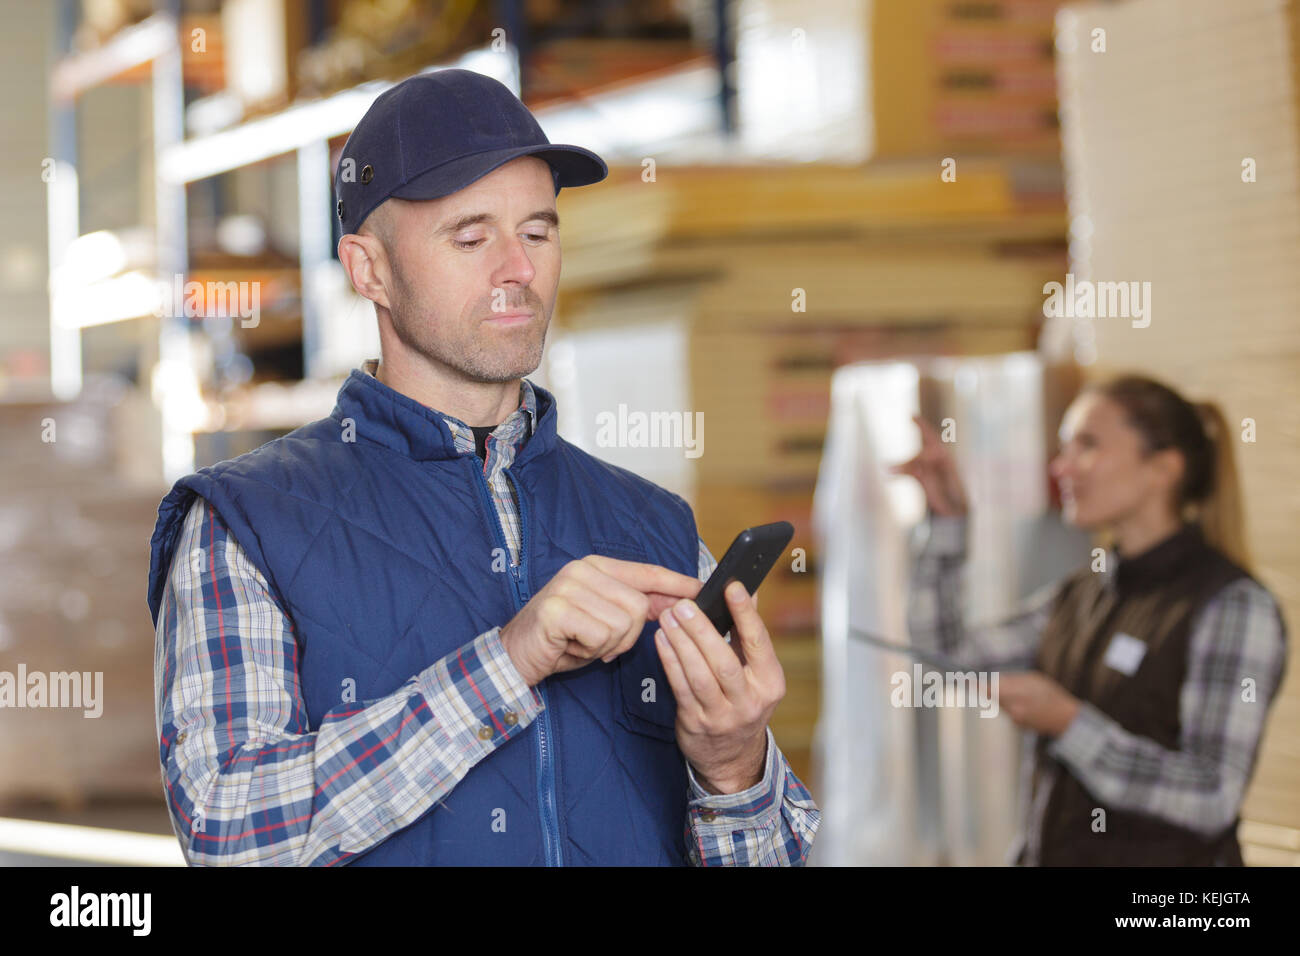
point(75, 537)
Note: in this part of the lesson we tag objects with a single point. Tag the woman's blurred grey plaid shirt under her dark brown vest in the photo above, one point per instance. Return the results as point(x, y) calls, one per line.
point(1199, 786)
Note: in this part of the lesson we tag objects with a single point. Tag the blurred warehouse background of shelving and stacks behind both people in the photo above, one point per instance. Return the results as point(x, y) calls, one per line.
point(821, 218)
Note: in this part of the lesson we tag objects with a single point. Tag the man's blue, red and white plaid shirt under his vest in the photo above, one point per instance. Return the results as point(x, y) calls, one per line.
point(248, 782)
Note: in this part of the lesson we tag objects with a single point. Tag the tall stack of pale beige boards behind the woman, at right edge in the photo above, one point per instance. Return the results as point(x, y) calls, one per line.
point(1184, 158)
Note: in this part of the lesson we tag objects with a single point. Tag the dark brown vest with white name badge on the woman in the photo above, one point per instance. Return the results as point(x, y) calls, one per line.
point(1154, 598)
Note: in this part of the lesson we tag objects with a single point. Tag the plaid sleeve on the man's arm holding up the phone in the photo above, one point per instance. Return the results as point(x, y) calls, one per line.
point(772, 824)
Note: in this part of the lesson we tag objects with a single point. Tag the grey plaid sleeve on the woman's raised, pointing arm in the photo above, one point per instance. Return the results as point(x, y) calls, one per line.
point(935, 605)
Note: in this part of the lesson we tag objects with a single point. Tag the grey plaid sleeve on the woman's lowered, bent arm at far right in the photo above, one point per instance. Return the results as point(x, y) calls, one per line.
point(1238, 637)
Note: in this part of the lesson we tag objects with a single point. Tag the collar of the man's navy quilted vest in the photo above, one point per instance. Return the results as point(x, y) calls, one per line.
point(385, 417)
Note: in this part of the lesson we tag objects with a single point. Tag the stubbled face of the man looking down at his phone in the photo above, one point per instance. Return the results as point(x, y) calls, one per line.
point(475, 274)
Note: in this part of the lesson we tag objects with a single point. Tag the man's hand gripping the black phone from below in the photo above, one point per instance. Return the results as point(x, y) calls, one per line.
point(726, 693)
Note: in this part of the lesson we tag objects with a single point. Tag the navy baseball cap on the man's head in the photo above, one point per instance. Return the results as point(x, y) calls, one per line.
point(436, 133)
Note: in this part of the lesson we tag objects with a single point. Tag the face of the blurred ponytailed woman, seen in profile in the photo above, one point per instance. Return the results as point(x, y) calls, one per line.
point(1103, 473)
